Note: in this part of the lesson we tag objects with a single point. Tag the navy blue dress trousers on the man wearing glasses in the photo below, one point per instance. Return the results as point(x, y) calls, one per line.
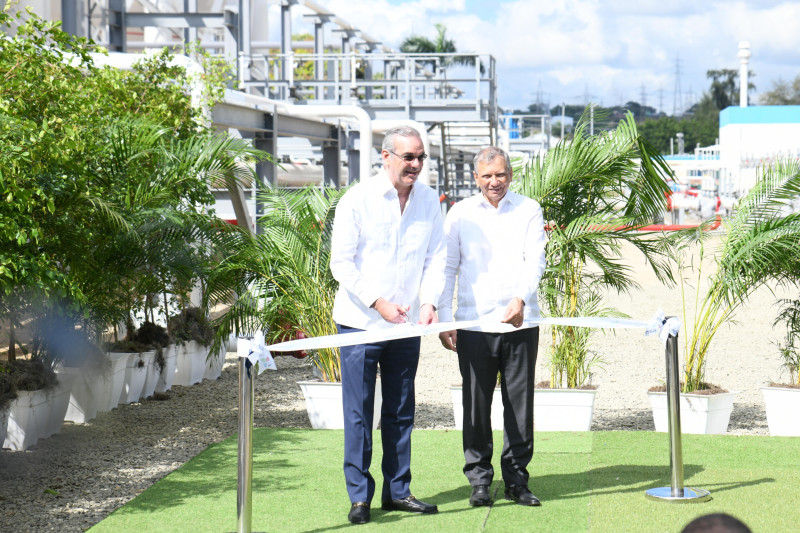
point(398, 360)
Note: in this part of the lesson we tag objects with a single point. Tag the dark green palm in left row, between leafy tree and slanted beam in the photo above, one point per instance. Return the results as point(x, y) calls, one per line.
point(159, 184)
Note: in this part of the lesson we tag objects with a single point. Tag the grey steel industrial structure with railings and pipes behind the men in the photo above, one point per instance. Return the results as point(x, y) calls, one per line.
point(450, 98)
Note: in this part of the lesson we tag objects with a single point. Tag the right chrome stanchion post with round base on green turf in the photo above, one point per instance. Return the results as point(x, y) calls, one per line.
point(676, 492)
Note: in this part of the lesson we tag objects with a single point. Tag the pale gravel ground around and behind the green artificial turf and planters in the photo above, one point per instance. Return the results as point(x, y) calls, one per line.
point(74, 479)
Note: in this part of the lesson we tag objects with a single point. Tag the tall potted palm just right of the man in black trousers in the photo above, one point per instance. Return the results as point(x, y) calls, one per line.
point(595, 193)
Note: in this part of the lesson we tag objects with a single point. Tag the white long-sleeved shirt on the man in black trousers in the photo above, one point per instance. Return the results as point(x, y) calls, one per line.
point(496, 253)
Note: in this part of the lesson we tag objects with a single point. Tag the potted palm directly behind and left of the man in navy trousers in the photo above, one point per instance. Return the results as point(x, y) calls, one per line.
point(282, 278)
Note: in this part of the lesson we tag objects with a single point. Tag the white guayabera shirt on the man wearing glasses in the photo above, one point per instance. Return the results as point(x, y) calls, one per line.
point(378, 253)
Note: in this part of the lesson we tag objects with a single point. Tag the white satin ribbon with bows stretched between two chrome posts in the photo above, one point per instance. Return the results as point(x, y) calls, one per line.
point(259, 352)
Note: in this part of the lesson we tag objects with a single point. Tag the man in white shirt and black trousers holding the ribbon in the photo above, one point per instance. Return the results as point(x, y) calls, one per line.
point(496, 248)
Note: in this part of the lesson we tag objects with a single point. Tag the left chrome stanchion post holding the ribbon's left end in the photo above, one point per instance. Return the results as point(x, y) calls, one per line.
point(244, 500)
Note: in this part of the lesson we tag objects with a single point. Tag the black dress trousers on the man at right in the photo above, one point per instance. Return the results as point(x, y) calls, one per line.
point(480, 357)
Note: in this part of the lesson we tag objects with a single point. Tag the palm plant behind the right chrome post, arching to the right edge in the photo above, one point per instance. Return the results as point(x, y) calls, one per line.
point(759, 246)
